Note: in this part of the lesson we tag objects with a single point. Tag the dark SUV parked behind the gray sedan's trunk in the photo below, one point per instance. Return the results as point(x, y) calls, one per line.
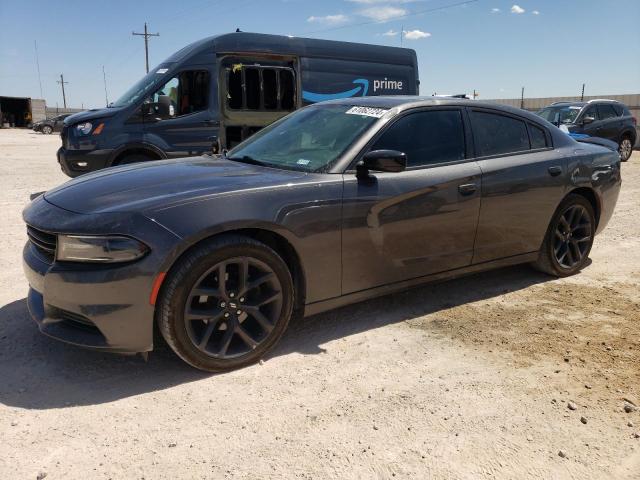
point(597, 118)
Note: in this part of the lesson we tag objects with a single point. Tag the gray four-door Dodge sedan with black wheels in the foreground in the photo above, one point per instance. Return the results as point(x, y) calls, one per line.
point(334, 204)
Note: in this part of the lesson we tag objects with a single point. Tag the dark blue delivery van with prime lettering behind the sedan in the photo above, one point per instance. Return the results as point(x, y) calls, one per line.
point(216, 92)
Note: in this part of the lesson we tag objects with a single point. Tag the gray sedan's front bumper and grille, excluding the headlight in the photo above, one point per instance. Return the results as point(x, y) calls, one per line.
point(99, 306)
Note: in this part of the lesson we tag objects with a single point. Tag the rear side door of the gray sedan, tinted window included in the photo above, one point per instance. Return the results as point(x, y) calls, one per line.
point(523, 181)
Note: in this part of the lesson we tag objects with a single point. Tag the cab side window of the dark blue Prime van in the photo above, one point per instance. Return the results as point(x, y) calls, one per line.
point(186, 93)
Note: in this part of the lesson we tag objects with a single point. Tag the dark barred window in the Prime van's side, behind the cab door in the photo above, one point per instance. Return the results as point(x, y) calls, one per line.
point(260, 88)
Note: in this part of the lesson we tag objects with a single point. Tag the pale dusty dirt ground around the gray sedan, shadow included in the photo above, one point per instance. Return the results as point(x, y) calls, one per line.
point(470, 378)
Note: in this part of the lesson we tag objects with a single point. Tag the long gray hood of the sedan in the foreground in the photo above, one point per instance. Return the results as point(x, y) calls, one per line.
point(151, 186)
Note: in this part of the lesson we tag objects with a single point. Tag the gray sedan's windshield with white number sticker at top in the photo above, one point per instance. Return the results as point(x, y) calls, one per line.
point(310, 140)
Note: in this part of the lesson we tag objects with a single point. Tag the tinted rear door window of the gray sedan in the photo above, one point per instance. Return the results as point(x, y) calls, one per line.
point(496, 134)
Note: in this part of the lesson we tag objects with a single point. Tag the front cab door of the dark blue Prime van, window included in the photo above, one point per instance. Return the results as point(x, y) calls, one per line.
point(178, 118)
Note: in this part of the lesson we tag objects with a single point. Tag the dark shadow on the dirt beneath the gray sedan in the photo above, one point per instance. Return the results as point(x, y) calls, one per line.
point(40, 373)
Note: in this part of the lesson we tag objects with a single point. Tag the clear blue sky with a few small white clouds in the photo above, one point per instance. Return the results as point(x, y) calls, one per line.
point(494, 46)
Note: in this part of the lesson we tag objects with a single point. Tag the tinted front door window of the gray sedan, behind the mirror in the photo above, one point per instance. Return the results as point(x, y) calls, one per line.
point(426, 137)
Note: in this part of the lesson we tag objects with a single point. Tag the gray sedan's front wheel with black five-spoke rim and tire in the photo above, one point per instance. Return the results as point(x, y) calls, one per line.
point(216, 327)
